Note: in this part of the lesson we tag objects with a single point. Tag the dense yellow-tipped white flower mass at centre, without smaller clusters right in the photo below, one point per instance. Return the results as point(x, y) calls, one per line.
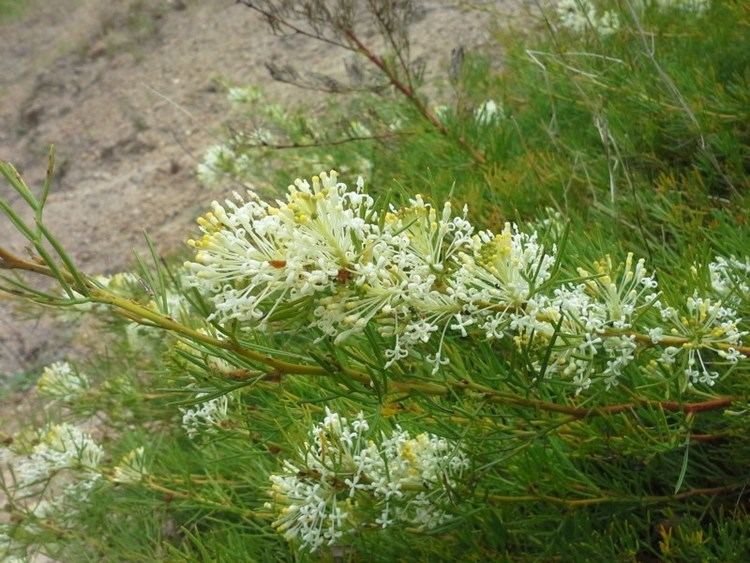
point(417, 271)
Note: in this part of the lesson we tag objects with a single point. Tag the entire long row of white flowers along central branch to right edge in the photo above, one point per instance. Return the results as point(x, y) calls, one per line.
point(416, 274)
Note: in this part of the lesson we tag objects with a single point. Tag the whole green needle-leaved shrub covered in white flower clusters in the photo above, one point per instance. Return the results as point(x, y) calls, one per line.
point(356, 371)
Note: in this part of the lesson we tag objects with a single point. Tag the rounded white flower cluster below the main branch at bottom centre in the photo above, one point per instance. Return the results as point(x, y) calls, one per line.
point(344, 481)
